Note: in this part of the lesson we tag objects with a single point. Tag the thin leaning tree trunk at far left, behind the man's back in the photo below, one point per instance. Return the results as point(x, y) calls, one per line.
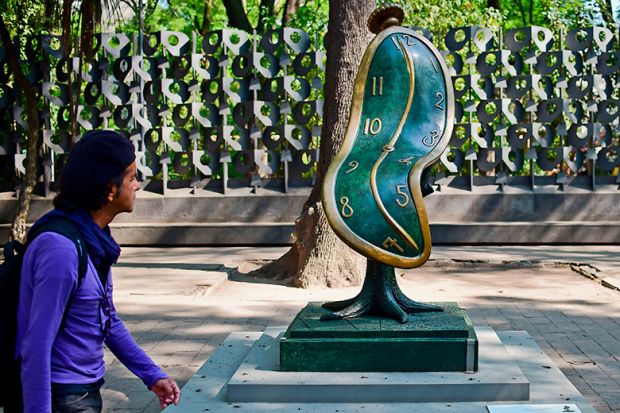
point(18, 228)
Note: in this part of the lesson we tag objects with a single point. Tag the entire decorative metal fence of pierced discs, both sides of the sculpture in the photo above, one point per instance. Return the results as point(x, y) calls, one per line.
point(233, 109)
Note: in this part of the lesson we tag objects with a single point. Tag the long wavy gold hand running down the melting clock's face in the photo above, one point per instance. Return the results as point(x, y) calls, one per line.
point(389, 148)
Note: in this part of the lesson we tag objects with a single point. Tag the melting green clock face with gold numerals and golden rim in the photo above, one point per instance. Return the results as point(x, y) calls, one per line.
point(401, 121)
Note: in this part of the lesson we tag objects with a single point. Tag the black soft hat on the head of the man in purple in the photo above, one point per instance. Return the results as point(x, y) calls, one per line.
point(94, 161)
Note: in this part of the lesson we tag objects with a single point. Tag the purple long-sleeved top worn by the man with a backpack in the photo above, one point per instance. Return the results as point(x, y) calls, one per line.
point(73, 354)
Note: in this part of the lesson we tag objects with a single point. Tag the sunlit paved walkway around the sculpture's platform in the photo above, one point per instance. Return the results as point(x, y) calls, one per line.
point(181, 303)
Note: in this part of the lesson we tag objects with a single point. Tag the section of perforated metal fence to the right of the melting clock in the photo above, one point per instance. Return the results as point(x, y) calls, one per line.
point(534, 106)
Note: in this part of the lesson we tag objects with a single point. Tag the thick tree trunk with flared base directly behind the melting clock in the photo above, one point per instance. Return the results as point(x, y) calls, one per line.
point(318, 257)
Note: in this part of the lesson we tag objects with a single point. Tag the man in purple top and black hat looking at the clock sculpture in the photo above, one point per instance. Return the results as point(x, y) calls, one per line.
point(65, 318)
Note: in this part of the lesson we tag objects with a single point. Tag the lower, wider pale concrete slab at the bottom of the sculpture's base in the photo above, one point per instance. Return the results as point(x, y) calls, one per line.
point(207, 390)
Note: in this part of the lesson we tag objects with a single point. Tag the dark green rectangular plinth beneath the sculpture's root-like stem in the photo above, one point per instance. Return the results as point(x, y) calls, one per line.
point(437, 341)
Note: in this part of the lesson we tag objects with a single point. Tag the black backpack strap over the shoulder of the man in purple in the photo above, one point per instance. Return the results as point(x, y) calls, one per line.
point(65, 227)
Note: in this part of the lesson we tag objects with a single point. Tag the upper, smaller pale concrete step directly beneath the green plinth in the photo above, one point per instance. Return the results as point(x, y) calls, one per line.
point(258, 379)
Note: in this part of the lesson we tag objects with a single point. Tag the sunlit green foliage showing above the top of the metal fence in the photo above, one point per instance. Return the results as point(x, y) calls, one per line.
point(26, 17)
